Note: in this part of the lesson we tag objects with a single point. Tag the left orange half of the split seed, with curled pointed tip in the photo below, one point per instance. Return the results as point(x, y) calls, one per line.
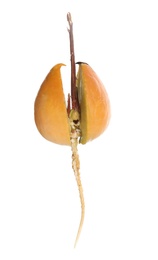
point(50, 109)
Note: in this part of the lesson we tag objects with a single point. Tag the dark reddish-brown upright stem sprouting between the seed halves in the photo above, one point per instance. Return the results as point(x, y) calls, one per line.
point(74, 97)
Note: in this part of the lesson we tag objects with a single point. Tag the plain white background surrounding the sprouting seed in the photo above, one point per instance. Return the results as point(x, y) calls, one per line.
point(39, 201)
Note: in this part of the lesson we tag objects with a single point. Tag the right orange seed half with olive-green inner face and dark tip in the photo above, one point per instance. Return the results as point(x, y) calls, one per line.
point(94, 104)
